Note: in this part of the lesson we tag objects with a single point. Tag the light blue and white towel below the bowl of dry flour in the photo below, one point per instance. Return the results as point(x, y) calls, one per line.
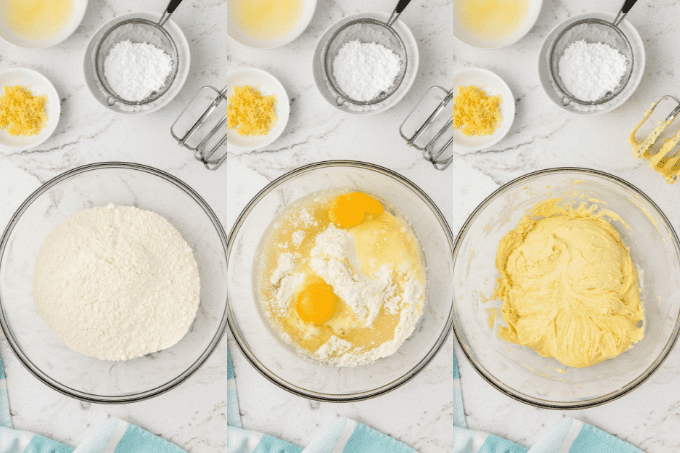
point(114, 436)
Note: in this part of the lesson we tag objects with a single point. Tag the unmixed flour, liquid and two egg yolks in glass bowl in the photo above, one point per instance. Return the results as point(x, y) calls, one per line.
point(338, 292)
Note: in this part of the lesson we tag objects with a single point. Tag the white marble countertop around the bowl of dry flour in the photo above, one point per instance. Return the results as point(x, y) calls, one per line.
point(193, 415)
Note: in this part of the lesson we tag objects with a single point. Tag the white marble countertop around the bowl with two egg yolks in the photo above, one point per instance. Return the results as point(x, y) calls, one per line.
point(419, 413)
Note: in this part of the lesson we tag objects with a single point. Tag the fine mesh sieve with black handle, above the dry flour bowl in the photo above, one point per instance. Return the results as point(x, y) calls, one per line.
point(138, 30)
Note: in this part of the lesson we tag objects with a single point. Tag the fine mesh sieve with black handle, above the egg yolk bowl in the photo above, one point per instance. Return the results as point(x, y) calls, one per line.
point(366, 30)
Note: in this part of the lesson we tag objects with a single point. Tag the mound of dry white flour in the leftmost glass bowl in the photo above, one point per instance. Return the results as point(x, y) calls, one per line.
point(116, 283)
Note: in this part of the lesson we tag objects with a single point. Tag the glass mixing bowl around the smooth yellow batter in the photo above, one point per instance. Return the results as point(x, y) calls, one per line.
point(518, 371)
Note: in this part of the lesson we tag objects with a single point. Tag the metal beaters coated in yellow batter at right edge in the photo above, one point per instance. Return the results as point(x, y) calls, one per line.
point(659, 148)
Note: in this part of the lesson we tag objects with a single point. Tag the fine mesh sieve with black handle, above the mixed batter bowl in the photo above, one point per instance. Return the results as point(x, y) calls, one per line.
point(592, 30)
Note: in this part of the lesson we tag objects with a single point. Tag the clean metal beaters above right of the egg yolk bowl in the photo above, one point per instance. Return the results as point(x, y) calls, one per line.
point(434, 137)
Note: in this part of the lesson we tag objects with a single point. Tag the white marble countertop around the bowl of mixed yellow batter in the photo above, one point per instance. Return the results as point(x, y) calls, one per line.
point(545, 136)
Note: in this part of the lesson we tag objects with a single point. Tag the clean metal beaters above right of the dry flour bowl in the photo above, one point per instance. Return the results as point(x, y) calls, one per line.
point(194, 136)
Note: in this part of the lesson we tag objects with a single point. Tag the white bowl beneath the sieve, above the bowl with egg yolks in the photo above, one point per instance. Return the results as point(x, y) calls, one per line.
point(411, 72)
